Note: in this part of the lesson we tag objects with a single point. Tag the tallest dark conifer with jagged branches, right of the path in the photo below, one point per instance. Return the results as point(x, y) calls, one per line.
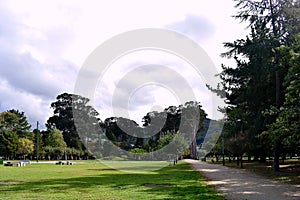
point(255, 84)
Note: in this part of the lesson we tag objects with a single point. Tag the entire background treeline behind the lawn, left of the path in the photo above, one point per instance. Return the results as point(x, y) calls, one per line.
point(75, 131)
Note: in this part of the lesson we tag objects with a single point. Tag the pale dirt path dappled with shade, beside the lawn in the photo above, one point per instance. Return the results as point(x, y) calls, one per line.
point(238, 184)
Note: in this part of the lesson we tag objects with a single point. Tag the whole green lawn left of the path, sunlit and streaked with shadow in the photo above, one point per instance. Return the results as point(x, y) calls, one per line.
point(93, 180)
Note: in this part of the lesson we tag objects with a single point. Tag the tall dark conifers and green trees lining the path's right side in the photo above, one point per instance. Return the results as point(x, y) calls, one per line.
point(262, 91)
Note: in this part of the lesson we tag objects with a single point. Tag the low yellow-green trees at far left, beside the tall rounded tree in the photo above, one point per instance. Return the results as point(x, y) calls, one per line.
point(18, 141)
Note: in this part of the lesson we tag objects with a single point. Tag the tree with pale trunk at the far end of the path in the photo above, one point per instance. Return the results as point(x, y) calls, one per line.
point(186, 119)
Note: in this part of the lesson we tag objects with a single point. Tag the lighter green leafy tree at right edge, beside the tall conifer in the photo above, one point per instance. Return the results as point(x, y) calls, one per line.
point(286, 128)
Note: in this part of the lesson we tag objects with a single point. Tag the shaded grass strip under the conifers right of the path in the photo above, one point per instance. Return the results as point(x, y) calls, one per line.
point(289, 170)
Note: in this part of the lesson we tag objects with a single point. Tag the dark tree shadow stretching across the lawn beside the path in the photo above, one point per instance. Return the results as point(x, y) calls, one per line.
point(177, 182)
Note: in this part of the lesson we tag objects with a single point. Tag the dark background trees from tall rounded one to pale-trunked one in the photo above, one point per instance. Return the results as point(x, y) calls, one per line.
point(116, 136)
